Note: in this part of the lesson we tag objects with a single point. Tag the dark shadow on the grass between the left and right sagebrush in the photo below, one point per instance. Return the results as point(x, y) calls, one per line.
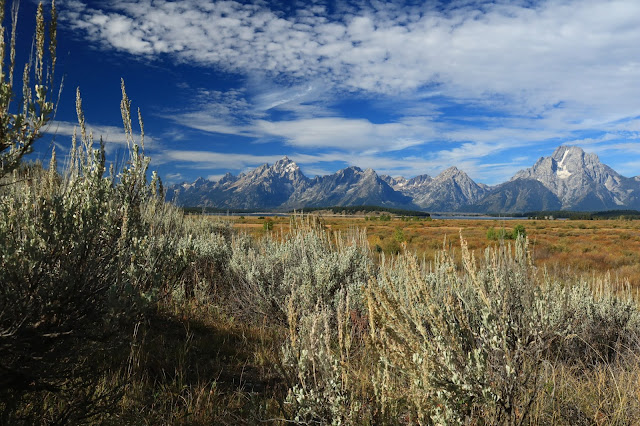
point(191, 366)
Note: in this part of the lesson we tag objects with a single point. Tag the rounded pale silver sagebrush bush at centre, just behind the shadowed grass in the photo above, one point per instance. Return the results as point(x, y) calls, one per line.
point(305, 266)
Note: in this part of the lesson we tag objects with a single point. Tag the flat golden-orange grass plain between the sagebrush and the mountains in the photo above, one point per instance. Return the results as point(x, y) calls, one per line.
point(564, 247)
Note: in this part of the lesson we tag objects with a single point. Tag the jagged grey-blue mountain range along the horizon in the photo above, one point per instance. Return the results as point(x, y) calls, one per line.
point(569, 179)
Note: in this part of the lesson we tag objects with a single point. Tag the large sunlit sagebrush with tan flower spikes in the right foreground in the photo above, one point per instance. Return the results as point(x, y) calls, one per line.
point(473, 344)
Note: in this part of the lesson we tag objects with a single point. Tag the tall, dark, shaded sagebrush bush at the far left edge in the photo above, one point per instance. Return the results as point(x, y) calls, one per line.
point(68, 256)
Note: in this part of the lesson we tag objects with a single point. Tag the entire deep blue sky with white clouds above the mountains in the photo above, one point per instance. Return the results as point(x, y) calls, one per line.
point(405, 88)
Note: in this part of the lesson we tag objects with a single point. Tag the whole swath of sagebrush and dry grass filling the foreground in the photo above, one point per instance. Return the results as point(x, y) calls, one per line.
point(116, 308)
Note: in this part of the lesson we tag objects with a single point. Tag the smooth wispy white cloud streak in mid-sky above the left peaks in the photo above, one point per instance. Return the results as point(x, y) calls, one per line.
point(314, 126)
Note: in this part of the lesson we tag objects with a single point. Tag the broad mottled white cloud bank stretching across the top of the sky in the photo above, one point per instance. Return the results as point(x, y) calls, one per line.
point(582, 53)
